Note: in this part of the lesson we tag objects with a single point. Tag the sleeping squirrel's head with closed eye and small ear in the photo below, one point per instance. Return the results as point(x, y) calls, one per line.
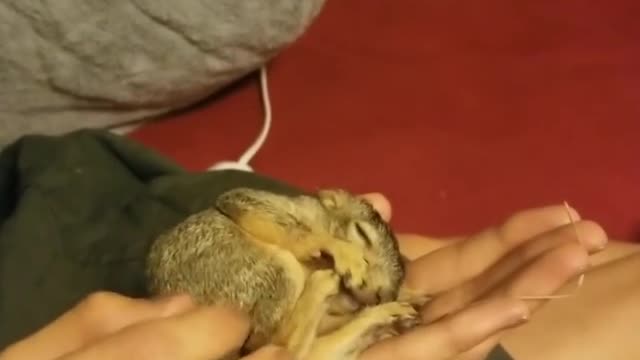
point(356, 220)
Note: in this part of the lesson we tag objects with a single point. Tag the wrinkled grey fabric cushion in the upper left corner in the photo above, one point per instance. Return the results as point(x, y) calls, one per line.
point(66, 64)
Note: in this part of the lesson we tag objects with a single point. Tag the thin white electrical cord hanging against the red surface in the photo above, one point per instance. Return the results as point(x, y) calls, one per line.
point(245, 159)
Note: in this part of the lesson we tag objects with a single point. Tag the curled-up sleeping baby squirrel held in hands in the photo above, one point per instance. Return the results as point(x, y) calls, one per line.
point(318, 274)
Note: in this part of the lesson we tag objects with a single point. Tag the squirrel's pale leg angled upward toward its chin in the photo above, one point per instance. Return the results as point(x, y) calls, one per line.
point(299, 329)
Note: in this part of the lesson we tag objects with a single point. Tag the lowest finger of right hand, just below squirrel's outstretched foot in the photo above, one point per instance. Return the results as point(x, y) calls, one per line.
point(453, 336)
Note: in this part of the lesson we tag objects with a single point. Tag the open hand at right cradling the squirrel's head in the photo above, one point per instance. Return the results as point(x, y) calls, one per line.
point(476, 282)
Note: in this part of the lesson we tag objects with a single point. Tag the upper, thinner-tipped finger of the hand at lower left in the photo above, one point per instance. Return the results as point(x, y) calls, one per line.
point(99, 314)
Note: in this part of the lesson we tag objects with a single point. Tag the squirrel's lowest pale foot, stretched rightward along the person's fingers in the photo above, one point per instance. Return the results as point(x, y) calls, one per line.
point(371, 325)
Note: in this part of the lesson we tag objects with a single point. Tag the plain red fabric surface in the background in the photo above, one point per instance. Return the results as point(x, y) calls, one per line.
point(462, 112)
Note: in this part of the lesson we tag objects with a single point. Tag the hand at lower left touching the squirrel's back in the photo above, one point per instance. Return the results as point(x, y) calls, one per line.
point(110, 326)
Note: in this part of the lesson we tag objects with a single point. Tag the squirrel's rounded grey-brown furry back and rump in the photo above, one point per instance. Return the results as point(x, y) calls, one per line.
point(213, 260)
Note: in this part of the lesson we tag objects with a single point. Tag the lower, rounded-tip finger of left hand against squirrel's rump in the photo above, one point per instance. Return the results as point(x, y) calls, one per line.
point(204, 333)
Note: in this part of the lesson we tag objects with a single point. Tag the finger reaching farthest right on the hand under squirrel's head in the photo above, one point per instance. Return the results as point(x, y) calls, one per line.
point(458, 297)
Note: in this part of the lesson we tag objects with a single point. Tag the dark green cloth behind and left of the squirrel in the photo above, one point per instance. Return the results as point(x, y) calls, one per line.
point(77, 214)
